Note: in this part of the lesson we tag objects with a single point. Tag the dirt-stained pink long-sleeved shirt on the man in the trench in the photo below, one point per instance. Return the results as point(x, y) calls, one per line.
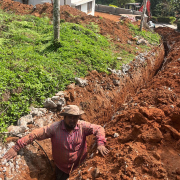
point(68, 149)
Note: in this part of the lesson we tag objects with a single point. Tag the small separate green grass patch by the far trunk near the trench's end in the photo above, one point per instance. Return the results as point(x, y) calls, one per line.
point(152, 38)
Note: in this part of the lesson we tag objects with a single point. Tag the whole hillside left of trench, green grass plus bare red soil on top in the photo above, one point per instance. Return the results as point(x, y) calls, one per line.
point(39, 69)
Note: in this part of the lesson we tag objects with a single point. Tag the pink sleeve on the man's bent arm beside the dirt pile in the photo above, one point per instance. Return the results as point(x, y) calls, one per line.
point(96, 130)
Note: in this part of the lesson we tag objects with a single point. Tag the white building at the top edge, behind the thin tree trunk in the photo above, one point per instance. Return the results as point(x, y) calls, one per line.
point(87, 6)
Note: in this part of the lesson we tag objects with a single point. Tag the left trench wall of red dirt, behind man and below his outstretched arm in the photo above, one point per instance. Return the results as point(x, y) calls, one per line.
point(100, 99)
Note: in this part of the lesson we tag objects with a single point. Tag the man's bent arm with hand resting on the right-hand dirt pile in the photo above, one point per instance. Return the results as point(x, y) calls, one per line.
point(99, 132)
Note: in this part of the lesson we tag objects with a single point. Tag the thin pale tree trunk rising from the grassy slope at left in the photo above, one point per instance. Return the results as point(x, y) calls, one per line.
point(56, 20)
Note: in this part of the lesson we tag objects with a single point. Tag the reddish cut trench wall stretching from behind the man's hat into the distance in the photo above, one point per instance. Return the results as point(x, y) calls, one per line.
point(105, 93)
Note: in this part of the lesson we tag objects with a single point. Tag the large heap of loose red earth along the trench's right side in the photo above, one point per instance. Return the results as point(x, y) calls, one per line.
point(143, 135)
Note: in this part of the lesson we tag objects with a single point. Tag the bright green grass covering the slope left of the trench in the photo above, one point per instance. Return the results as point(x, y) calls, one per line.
point(32, 68)
